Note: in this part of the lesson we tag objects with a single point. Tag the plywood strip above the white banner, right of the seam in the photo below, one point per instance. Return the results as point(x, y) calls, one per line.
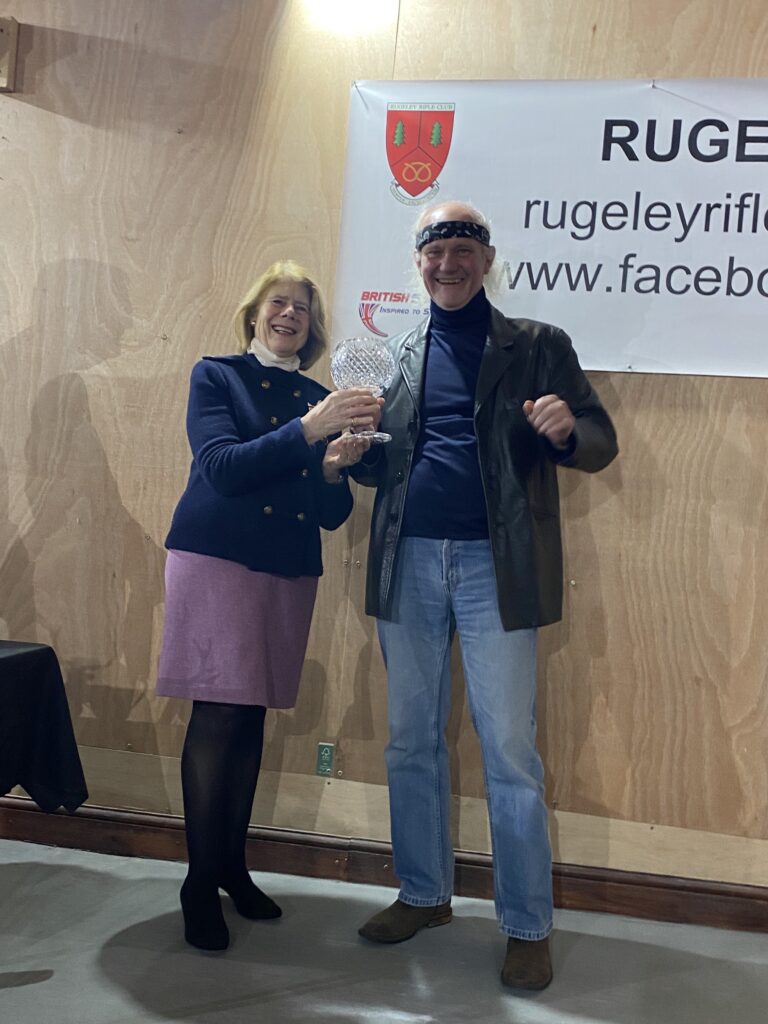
point(559, 39)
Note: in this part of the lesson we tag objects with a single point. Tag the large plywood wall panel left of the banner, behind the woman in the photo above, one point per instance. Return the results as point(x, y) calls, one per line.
point(156, 158)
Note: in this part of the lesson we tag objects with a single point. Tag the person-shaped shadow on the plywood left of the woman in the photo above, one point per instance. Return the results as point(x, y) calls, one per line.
point(77, 570)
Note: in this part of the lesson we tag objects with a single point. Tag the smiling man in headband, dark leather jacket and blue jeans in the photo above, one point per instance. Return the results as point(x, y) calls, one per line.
point(466, 536)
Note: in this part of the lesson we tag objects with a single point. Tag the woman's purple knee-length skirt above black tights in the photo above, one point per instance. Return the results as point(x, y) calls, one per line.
point(232, 635)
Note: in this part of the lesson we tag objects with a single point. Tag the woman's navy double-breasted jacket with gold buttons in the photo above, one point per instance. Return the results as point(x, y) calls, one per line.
point(257, 494)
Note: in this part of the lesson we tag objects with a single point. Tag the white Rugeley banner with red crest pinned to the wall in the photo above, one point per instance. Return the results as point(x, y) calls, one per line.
point(632, 215)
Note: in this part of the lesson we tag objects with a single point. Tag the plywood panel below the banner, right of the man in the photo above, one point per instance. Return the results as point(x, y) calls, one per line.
point(655, 685)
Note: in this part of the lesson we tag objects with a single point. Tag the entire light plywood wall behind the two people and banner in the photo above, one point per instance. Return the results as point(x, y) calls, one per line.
point(154, 159)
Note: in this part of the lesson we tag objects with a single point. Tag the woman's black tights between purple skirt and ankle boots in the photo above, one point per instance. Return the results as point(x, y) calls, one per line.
point(220, 770)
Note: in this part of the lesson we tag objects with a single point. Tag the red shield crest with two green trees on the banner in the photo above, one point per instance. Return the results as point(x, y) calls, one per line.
point(418, 144)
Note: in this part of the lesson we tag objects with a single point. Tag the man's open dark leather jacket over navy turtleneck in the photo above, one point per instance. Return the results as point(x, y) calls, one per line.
point(523, 360)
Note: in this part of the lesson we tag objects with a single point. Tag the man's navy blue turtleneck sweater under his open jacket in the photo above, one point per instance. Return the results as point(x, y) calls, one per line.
point(445, 496)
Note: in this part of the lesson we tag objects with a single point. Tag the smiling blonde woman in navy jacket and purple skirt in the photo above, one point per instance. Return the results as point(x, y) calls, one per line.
point(242, 570)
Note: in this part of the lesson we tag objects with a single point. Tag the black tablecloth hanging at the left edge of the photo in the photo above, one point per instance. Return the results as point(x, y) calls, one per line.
point(37, 742)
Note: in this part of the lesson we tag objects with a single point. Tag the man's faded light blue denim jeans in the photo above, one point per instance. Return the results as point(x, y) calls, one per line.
point(441, 587)
